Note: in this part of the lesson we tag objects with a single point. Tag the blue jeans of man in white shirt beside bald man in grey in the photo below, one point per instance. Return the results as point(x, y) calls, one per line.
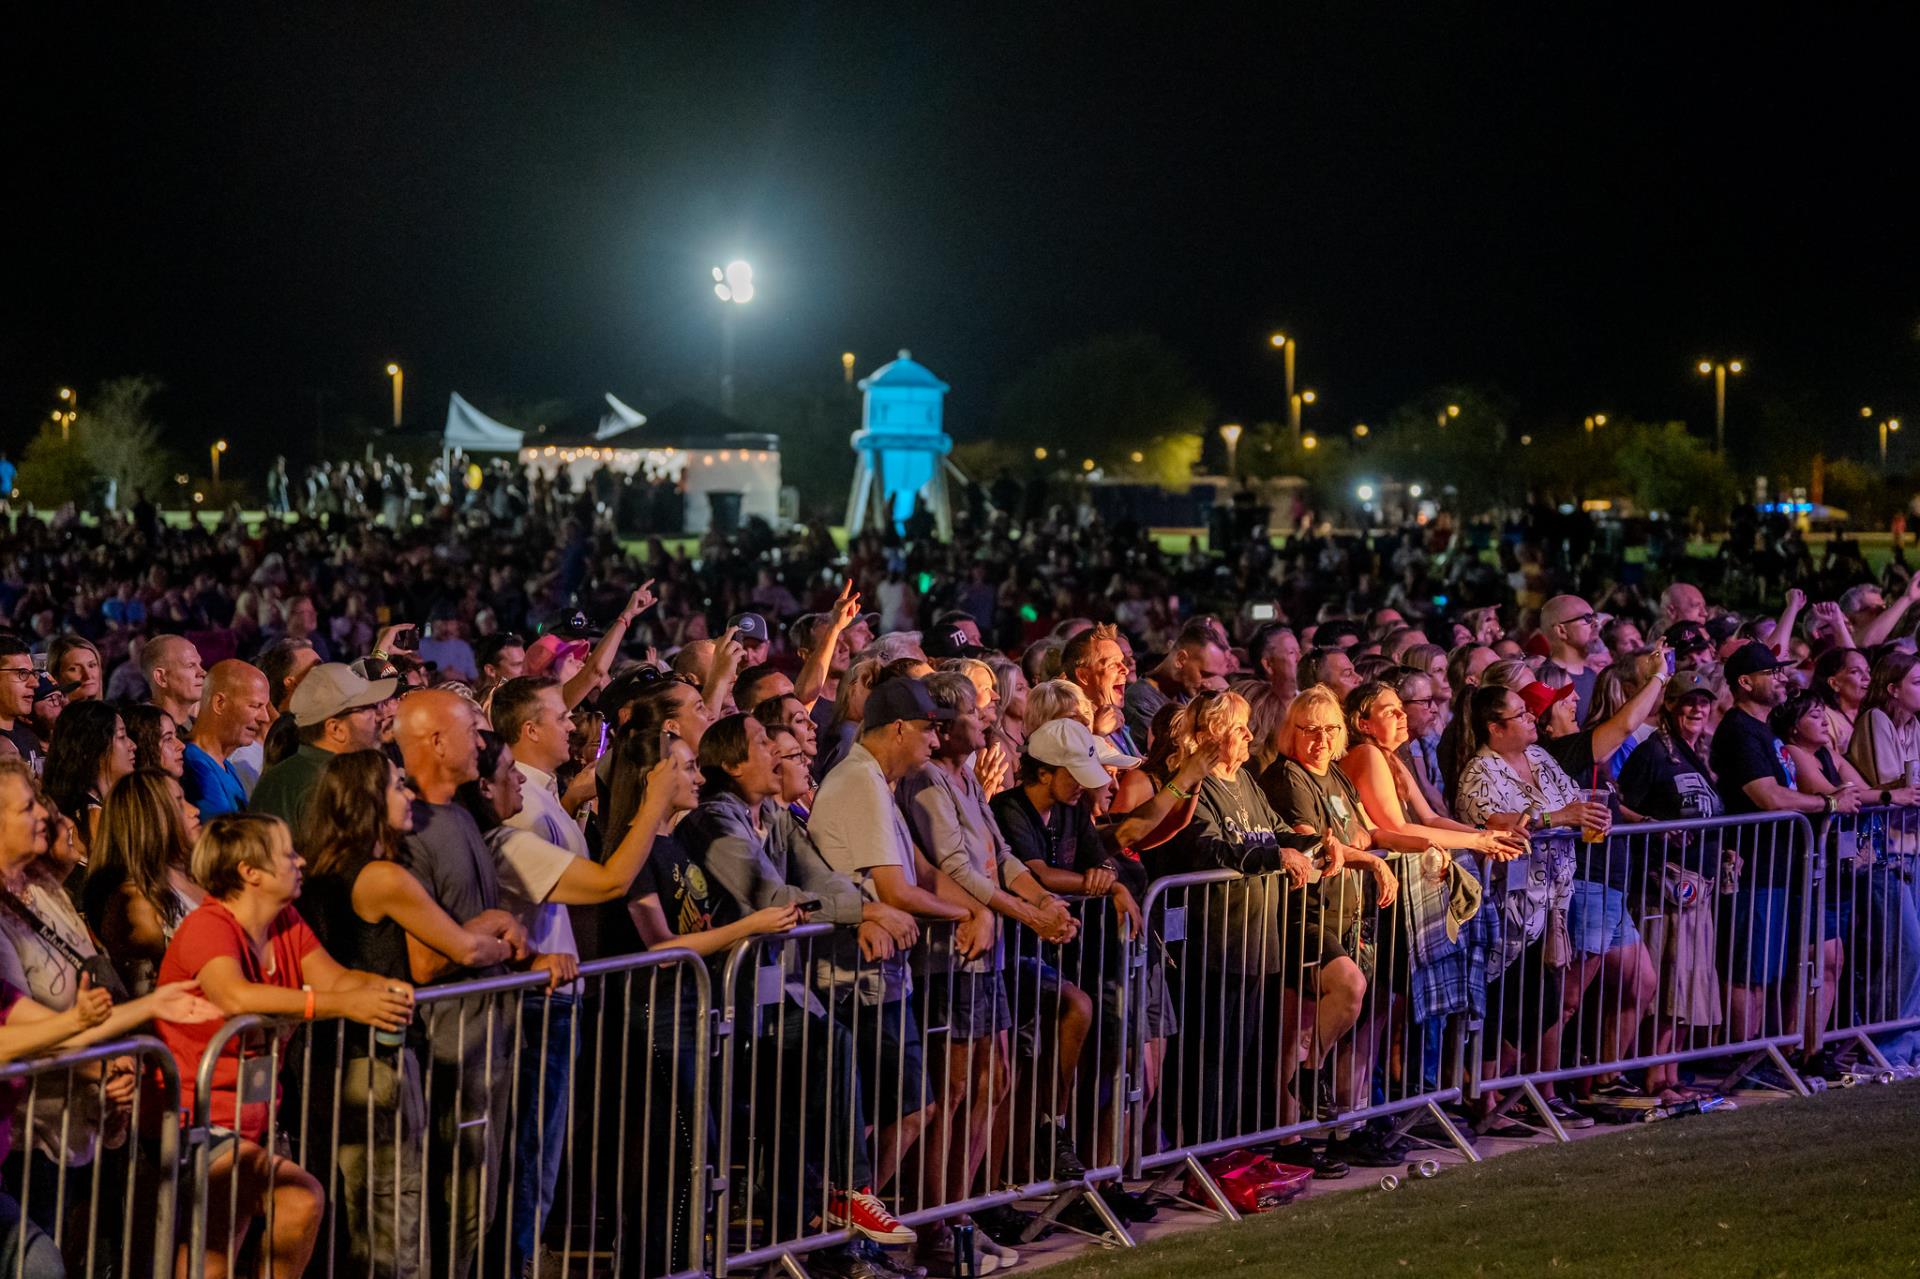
point(540, 1138)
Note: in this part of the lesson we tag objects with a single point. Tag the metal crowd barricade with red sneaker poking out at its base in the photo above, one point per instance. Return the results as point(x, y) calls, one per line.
point(961, 1096)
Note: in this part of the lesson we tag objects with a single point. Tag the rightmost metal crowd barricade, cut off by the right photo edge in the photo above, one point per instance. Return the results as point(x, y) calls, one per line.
point(1871, 930)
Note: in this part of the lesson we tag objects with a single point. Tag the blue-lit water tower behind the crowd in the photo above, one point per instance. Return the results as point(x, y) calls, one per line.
point(901, 450)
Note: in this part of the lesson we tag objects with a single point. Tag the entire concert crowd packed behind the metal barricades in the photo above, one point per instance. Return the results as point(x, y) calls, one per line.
point(316, 767)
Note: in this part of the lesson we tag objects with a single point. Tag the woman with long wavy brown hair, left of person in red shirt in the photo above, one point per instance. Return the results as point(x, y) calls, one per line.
point(139, 886)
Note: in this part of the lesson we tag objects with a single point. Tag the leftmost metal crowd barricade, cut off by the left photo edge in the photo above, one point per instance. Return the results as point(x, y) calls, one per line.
point(99, 1180)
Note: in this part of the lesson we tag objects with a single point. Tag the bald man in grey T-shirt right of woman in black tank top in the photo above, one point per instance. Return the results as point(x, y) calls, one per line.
point(439, 736)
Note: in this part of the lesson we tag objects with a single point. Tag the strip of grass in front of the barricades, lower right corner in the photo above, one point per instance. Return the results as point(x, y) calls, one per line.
point(1827, 1186)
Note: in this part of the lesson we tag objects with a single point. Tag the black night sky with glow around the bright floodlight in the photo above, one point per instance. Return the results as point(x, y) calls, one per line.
point(266, 203)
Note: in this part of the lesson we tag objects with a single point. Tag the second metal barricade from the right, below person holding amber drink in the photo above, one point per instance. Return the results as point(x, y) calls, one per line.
point(1662, 944)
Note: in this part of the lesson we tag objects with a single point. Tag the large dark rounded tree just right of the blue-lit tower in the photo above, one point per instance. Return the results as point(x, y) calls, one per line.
point(1109, 398)
